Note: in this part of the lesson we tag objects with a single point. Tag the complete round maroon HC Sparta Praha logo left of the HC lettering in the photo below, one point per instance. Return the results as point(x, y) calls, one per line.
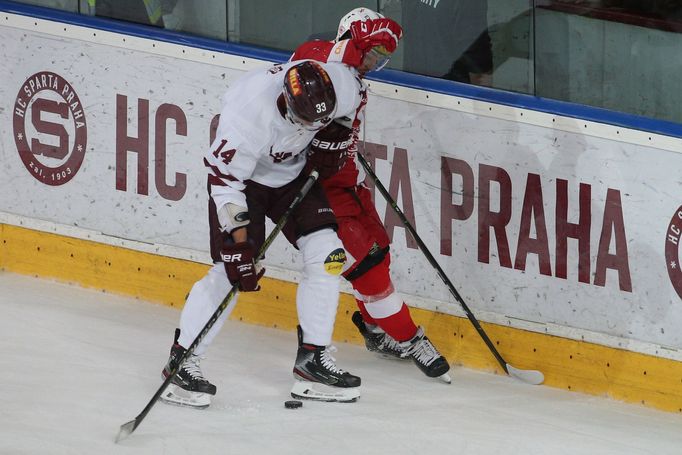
point(49, 128)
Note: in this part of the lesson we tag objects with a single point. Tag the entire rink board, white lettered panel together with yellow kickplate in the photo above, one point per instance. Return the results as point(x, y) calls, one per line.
point(106, 133)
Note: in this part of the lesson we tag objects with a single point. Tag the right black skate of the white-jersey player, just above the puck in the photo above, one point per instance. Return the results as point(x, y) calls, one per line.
point(318, 378)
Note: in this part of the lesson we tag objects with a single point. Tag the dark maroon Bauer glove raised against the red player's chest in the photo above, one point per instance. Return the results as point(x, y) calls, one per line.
point(328, 150)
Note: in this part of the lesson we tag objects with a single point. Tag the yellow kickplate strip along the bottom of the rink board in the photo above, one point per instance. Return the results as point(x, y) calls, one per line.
point(567, 364)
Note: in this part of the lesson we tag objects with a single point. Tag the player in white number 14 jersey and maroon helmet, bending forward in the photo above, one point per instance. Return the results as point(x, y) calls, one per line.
point(255, 168)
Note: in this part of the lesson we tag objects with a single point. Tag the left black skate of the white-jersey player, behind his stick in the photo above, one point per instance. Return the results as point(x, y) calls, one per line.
point(188, 387)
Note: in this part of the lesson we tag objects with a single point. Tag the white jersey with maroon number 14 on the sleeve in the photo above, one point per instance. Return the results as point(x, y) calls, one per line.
point(255, 142)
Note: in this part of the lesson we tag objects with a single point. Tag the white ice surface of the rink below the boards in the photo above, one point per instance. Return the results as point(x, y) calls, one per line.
point(76, 363)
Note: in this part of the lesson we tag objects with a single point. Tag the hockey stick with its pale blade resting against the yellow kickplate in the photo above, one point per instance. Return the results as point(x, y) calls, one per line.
point(530, 376)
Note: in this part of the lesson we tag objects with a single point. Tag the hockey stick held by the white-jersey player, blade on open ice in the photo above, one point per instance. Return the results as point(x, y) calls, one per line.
point(128, 427)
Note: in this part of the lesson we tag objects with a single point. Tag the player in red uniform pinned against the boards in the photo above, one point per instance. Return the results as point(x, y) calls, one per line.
point(366, 40)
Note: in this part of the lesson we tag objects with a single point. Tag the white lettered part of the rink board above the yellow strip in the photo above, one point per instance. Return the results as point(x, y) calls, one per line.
point(642, 182)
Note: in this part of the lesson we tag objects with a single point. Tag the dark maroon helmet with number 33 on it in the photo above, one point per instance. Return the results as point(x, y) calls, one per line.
point(309, 95)
